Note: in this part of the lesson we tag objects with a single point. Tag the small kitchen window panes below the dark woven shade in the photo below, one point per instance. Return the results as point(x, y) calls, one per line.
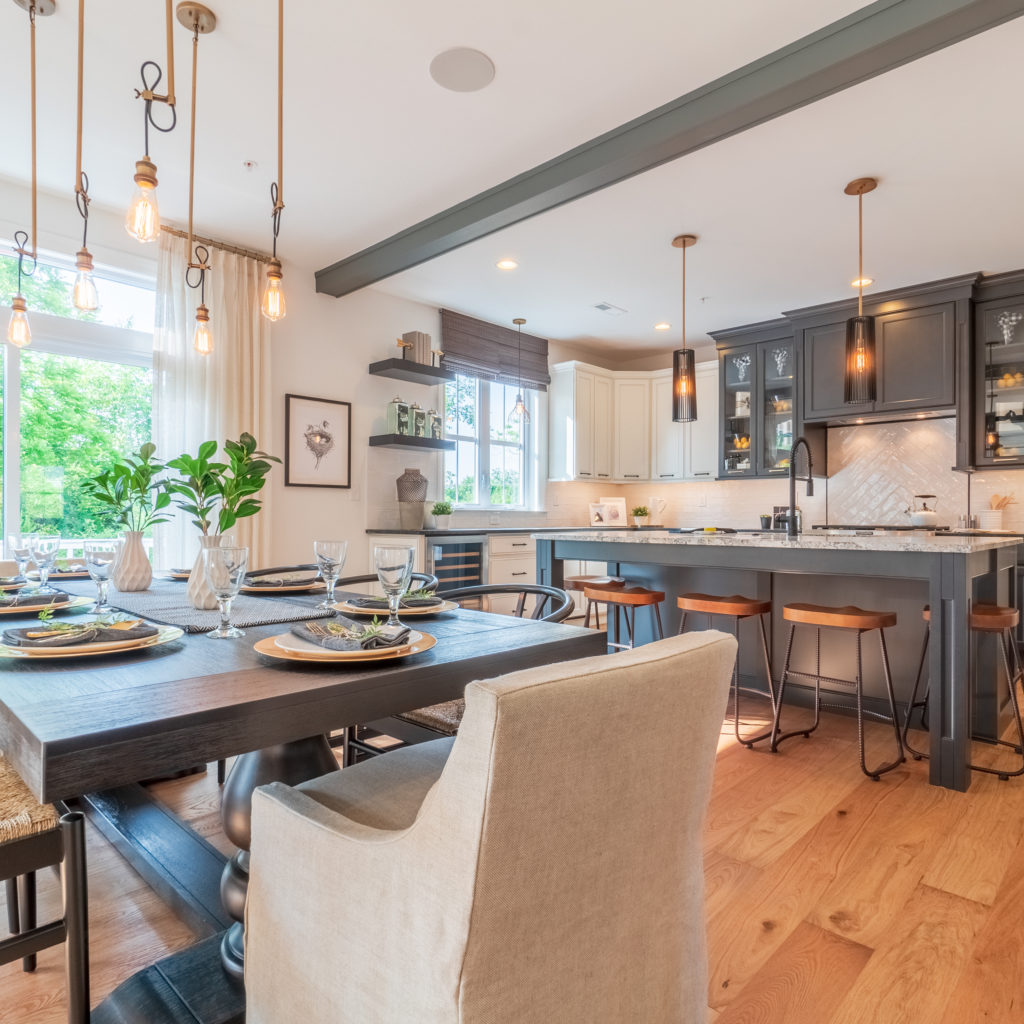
point(493, 464)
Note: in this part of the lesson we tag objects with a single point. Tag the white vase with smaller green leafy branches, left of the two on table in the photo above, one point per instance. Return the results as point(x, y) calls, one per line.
point(136, 499)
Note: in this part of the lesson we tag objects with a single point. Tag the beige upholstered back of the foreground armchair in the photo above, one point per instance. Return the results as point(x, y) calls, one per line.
point(586, 854)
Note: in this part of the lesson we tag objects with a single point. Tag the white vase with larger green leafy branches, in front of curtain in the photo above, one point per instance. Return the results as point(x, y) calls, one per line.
point(217, 495)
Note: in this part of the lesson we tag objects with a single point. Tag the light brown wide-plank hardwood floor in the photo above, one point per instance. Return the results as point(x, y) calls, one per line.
point(832, 900)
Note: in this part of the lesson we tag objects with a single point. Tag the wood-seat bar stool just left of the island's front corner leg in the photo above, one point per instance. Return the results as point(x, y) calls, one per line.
point(848, 618)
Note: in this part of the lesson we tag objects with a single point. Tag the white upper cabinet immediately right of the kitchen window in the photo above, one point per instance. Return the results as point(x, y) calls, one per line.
point(580, 423)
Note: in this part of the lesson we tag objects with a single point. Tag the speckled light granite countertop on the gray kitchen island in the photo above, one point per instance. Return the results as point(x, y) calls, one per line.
point(819, 540)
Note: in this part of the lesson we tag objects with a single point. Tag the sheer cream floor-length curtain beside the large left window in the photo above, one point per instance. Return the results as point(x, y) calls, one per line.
point(210, 398)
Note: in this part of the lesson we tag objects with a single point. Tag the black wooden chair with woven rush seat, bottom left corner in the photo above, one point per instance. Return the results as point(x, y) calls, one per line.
point(33, 837)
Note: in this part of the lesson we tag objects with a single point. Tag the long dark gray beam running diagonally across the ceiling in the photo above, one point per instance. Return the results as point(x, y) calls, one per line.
point(870, 42)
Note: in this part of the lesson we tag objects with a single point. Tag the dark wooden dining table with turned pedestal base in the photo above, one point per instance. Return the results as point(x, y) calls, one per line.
point(89, 730)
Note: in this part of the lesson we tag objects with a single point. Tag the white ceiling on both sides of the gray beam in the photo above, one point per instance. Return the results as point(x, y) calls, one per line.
point(374, 146)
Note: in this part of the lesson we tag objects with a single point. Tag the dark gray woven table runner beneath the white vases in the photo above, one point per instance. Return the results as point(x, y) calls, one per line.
point(166, 603)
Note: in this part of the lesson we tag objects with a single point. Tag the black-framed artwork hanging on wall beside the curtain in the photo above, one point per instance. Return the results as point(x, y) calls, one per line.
point(318, 443)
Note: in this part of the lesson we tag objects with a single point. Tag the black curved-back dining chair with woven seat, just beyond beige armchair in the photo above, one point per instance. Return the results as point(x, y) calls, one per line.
point(445, 719)
